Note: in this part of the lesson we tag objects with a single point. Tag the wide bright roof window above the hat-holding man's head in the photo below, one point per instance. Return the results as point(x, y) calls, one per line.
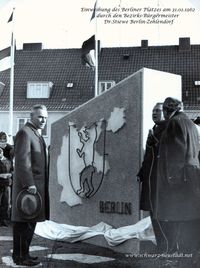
point(39, 89)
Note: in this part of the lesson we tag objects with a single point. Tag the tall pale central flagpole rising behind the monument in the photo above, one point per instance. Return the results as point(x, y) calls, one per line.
point(96, 57)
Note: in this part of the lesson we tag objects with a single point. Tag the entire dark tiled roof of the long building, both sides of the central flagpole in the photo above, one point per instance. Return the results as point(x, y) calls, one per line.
point(61, 66)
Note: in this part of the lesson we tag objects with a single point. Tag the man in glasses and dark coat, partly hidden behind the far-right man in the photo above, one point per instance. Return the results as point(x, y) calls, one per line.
point(148, 171)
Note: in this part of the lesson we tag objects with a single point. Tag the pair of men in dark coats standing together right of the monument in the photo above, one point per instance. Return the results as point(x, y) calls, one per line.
point(170, 179)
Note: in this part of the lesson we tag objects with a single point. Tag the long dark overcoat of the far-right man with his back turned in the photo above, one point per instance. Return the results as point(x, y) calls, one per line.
point(178, 177)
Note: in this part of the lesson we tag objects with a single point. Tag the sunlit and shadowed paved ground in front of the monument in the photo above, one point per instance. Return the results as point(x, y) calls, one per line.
point(83, 255)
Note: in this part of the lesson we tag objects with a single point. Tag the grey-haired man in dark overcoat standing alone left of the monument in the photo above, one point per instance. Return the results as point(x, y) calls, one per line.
point(31, 173)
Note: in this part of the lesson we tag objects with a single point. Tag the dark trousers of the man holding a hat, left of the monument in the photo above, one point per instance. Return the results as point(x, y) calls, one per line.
point(22, 236)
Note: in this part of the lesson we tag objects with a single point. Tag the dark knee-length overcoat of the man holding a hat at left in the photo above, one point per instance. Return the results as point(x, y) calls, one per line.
point(31, 168)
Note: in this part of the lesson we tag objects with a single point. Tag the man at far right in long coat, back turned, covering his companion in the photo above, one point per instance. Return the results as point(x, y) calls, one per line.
point(178, 181)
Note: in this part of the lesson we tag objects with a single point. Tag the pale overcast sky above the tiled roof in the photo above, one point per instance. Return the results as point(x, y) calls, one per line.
point(62, 24)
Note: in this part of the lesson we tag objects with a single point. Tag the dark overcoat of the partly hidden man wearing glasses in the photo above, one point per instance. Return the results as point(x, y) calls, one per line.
point(148, 170)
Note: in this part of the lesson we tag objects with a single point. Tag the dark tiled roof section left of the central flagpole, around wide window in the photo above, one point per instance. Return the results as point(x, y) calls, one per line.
point(59, 66)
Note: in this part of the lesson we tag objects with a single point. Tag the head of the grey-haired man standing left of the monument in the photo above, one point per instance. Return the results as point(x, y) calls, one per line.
point(39, 118)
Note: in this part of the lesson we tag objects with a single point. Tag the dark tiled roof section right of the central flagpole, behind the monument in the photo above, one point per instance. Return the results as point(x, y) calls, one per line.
point(162, 58)
